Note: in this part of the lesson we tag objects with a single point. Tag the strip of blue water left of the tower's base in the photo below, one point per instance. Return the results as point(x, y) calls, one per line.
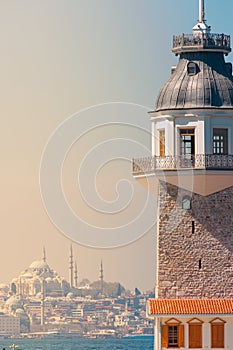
point(79, 344)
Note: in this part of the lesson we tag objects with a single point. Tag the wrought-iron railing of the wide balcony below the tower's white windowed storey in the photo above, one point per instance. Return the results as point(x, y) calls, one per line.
point(199, 161)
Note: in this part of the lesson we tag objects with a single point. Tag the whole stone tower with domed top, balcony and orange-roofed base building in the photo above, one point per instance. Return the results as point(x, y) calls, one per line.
point(191, 170)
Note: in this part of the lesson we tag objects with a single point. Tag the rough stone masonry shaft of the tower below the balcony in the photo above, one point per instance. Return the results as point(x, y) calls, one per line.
point(195, 245)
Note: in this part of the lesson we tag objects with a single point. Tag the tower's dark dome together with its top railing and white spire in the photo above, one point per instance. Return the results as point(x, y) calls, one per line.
point(202, 79)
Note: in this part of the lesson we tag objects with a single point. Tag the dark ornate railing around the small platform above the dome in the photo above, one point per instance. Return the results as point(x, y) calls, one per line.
point(209, 41)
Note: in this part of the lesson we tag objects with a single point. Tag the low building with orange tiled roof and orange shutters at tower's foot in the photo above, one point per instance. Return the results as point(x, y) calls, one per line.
point(194, 323)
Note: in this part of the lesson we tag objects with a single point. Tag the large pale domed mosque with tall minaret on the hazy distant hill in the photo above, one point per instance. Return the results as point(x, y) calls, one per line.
point(40, 277)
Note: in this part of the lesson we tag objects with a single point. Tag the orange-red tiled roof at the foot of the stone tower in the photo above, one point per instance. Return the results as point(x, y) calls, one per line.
point(190, 306)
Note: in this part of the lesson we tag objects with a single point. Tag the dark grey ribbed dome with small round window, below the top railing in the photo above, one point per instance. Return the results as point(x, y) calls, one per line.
point(200, 80)
